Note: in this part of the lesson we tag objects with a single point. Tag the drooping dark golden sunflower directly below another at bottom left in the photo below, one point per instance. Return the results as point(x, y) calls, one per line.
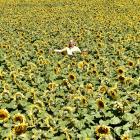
point(20, 128)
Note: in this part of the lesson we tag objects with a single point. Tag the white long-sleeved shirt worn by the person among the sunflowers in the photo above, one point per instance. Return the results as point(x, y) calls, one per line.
point(70, 51)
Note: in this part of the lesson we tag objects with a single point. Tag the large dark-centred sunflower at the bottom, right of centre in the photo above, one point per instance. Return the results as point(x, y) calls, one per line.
point(102, 130)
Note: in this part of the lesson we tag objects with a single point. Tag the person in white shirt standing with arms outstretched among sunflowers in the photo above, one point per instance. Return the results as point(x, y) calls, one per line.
point(72, 48)
